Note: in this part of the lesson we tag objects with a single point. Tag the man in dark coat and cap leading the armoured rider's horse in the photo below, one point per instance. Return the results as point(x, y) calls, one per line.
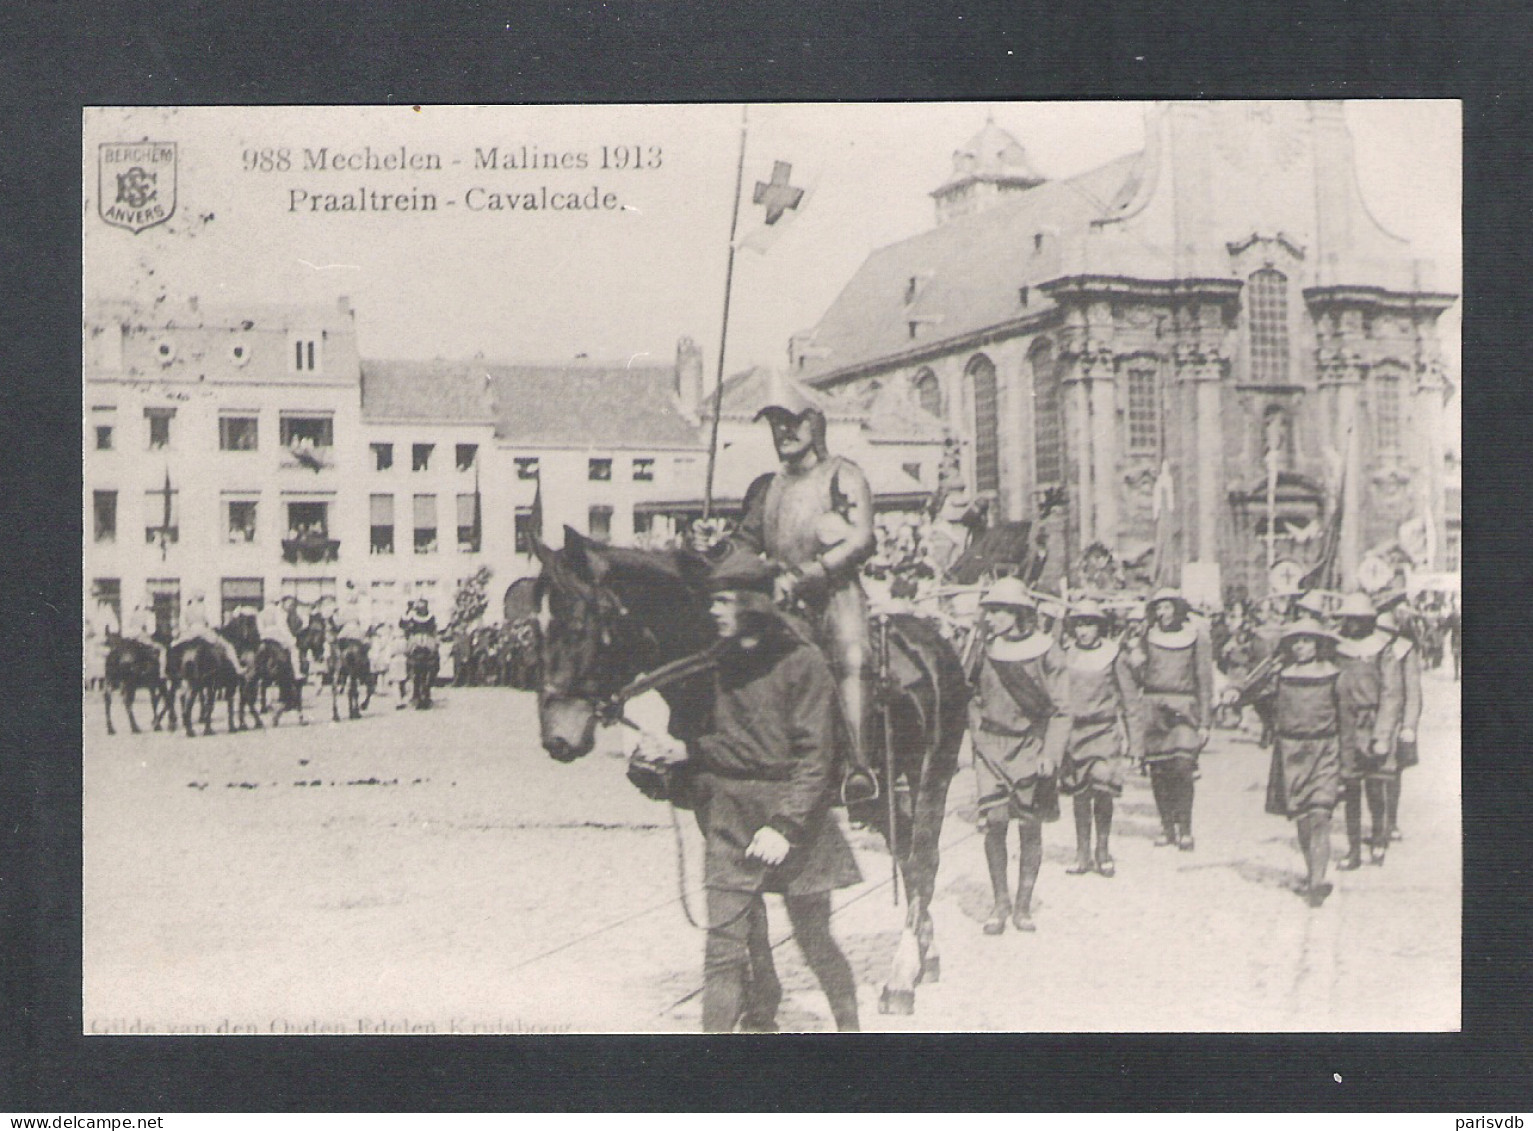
point(763, 778)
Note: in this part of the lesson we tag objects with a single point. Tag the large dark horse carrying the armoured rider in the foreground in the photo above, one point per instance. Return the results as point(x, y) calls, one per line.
point(612, 614)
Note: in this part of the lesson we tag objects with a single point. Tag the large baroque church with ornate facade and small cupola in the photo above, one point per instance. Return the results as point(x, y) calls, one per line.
point(1210, 349)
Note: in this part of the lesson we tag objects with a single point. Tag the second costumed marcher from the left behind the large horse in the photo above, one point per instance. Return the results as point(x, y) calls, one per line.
point(1098, 692)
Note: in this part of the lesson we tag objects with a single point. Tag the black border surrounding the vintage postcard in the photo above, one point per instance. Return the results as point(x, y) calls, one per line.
point(61, 59)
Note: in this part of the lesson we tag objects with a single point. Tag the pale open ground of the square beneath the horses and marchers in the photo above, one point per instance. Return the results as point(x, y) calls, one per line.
point(438, 873)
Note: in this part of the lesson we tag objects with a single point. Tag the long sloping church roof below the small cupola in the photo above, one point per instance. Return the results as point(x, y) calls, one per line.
point(965, 275)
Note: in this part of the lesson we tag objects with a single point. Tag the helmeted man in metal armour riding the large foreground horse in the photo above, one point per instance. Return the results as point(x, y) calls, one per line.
point(815, 520)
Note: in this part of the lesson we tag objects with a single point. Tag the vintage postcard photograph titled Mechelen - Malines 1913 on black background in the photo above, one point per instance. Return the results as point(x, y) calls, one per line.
point(780, 568)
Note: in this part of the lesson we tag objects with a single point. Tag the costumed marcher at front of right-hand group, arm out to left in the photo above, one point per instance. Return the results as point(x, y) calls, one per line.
point(1305, 776)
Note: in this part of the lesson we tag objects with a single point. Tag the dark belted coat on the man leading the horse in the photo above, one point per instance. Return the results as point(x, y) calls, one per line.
point(770, 759)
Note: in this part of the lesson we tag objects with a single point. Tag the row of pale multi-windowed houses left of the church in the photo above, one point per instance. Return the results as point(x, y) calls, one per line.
point(251, 454)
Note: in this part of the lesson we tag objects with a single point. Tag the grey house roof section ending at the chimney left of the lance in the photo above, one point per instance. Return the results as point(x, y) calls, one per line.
point(591, 405)
